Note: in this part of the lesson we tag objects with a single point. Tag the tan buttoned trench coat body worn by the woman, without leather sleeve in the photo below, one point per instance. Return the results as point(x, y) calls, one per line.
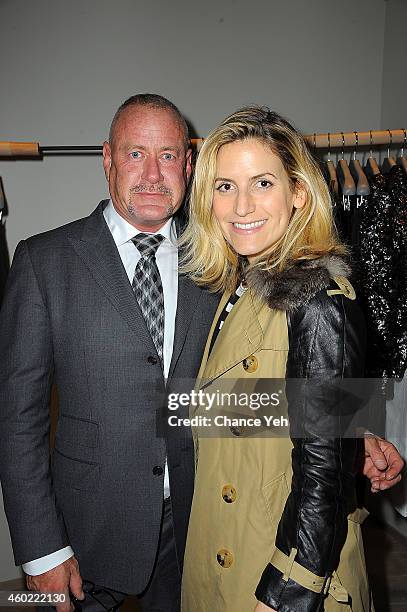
point(242, 484)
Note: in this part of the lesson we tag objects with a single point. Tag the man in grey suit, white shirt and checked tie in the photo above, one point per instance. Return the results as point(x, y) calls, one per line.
point(81, 310)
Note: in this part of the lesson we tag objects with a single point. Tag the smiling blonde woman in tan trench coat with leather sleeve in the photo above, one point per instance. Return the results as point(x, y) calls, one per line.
point(274, 523)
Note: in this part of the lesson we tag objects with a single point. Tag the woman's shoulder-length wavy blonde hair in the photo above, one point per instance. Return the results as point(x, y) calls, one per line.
point(311, 233)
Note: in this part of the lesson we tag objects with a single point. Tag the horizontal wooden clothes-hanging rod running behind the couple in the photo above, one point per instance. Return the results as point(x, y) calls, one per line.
point(334, 140)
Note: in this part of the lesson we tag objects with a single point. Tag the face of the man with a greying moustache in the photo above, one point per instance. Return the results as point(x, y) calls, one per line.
point(146, 166)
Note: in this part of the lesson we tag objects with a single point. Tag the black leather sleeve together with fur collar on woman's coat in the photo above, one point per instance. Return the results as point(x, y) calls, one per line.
point(326, 342)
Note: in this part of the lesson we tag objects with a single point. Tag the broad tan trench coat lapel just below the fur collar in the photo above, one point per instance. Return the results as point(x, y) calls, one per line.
point(241, 335)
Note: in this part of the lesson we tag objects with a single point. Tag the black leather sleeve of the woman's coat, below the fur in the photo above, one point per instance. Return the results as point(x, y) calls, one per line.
point(326, 342)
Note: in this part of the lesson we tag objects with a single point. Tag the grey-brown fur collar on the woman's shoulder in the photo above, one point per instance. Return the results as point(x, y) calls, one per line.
point(296, 285)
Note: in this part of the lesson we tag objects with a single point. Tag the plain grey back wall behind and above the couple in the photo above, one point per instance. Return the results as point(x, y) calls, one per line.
point(66, 66)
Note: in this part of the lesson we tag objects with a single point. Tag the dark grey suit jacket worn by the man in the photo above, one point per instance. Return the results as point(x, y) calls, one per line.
point(70, 317)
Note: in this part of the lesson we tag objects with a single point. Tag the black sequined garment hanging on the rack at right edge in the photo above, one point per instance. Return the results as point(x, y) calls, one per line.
point(380, 253)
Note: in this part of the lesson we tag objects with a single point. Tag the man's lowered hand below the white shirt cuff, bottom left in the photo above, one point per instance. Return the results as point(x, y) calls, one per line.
point(61, 579)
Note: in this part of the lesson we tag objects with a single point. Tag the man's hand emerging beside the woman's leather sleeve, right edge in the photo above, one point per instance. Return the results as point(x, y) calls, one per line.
point(383, 463)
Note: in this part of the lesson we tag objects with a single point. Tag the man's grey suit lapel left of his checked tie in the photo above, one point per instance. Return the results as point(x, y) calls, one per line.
point(98, 251)
